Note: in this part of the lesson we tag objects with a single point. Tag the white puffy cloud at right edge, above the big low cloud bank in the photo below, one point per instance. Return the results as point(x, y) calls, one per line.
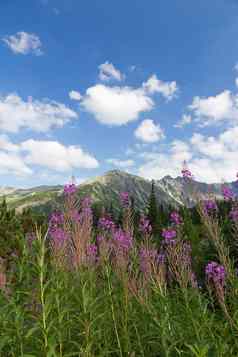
point(217, 109)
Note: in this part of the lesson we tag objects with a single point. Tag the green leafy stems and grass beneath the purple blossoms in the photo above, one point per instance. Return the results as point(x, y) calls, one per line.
point(58, 304)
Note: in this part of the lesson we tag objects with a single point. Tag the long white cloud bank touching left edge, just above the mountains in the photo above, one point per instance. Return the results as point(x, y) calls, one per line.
point(23, 158)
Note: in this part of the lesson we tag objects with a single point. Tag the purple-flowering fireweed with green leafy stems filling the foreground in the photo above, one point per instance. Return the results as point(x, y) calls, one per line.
point(113, 290)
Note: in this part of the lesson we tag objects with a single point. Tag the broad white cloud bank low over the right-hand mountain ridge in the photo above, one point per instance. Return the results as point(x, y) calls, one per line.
point(210, 158)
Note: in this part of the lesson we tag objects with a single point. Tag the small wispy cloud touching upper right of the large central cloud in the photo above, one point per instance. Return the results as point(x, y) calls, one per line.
point(155, 85)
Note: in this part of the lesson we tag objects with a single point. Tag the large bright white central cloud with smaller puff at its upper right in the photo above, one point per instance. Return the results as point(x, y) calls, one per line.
point(118, 105)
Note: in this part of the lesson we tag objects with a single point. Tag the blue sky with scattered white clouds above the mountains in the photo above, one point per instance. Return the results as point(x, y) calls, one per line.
point(97, 85)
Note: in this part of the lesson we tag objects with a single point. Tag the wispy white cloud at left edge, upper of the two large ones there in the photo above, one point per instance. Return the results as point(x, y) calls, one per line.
point(39, 116)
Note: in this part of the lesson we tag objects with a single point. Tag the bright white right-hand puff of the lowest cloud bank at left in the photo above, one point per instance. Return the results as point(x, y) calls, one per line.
point(56, 156)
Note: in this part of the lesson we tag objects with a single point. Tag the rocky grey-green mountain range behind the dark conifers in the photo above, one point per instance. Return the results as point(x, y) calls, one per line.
point(106, 189)
